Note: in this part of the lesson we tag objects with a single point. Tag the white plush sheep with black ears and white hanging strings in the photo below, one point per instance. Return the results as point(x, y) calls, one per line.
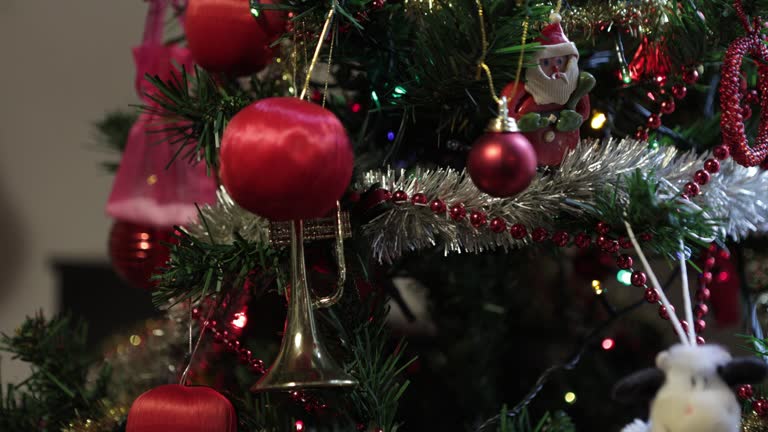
point(691, 388)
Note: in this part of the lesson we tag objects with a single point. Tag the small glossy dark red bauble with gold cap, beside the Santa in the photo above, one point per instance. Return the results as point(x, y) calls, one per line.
point(502, 164)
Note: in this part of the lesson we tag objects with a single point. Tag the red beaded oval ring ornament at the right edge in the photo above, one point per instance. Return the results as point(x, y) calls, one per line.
point(732, 118)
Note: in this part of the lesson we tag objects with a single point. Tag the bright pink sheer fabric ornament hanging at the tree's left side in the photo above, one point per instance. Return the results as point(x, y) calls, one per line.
point(146, 190)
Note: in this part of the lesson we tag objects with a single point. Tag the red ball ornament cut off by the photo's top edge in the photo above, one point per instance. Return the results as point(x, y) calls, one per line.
point(224, 36)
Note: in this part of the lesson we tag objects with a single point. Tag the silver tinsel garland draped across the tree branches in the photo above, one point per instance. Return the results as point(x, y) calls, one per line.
point(736, 197)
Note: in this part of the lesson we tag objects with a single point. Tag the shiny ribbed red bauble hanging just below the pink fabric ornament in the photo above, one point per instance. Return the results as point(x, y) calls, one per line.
point(137, 251)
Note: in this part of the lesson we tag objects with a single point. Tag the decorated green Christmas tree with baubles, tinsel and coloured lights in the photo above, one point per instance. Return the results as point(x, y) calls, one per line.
point(504, 258)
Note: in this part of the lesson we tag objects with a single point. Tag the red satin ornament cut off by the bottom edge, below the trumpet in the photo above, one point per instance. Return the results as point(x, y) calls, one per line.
point(176, 408)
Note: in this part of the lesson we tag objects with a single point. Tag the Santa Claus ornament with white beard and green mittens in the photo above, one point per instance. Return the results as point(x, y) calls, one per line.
point(552, 103)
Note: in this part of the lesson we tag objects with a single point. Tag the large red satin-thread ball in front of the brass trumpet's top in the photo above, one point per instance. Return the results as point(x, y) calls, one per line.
point(286, 159)
